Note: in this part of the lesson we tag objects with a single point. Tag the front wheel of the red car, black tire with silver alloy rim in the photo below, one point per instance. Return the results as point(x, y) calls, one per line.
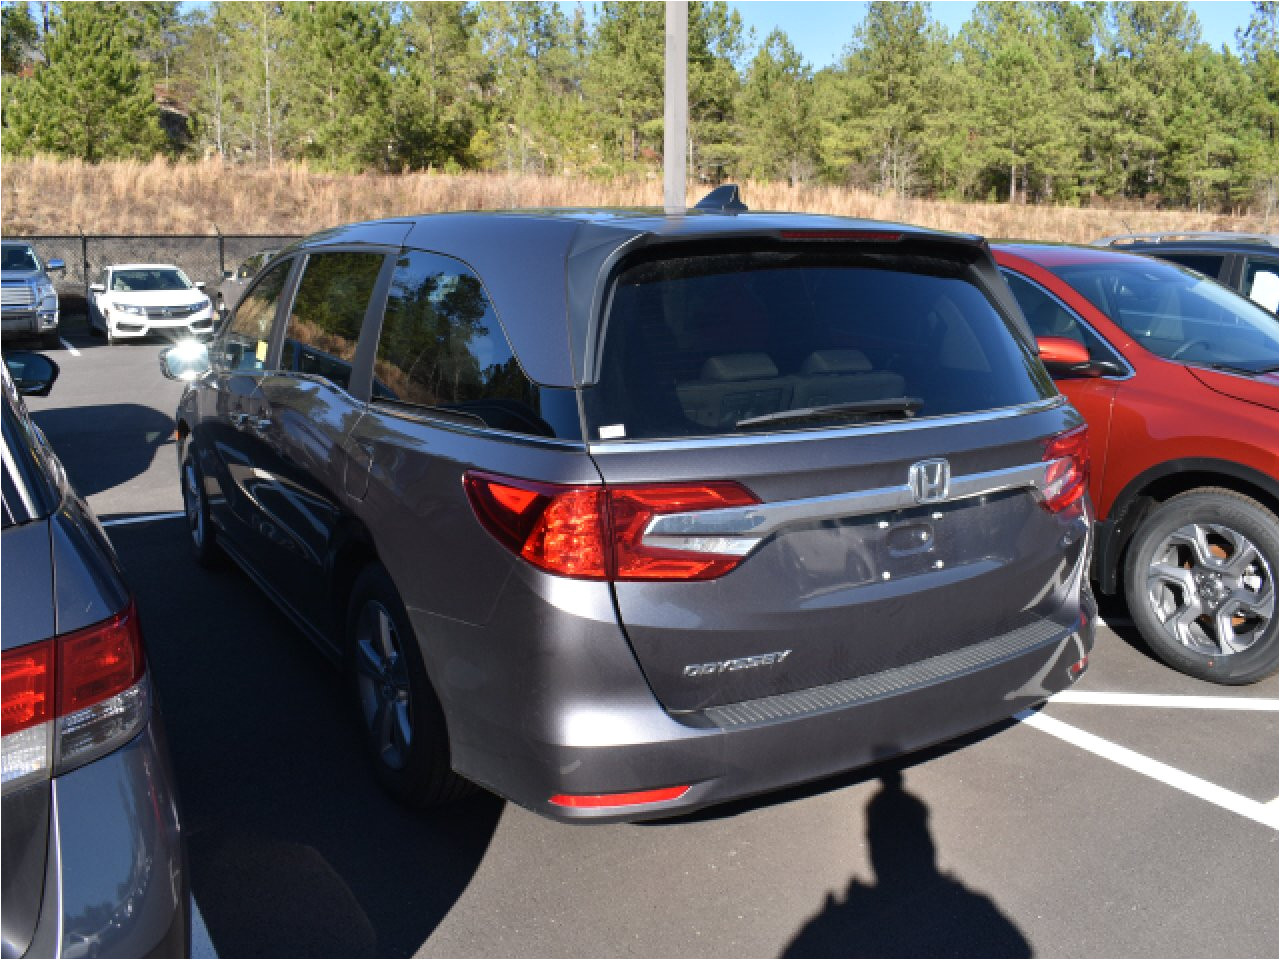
point(1201, 586)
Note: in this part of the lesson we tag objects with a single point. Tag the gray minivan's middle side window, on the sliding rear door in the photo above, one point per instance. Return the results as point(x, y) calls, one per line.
point(328, 313)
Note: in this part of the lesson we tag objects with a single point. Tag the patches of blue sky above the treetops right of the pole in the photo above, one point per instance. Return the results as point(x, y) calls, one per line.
point(821, 29)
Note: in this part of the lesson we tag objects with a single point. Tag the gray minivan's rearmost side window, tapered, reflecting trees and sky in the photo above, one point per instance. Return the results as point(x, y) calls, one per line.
point(442, 348)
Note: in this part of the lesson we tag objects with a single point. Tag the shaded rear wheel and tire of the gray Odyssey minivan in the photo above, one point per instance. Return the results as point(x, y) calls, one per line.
point(396, 705)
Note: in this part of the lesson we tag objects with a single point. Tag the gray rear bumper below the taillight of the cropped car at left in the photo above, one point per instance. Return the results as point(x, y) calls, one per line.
point(117, 881)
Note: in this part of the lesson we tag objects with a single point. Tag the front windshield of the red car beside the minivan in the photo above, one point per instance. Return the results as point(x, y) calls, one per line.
point(1178, 314)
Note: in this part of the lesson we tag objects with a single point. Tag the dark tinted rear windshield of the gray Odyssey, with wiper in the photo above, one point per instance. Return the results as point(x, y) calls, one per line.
point(735, 342)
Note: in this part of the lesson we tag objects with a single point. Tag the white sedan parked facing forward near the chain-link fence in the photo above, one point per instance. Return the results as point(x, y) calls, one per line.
point(140, 300)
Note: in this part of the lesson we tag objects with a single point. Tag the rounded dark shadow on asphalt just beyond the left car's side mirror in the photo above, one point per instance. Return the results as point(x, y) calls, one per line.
point(106, 446)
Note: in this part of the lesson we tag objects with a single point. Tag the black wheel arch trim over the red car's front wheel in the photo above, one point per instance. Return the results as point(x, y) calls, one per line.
point(1156, 486)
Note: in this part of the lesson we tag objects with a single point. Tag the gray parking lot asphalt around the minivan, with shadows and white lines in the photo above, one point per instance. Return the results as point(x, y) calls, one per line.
point(1118, 828)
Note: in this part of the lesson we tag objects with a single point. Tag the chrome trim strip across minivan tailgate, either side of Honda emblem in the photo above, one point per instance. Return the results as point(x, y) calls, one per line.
point(737, 531)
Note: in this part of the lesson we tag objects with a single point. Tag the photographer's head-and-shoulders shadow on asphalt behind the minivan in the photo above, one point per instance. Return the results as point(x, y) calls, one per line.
point(913, 909)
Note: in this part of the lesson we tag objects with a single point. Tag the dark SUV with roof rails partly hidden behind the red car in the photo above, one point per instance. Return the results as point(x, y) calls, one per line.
point(1244, 262)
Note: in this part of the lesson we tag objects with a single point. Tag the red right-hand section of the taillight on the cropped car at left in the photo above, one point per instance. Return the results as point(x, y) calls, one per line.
point(99, 662)
